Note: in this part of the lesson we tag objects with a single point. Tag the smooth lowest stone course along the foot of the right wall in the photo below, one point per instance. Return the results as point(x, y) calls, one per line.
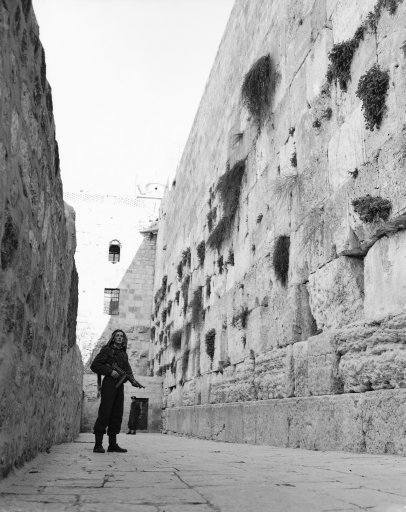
point(372, 422)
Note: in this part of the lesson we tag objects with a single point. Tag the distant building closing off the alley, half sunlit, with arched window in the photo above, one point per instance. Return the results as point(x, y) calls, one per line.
point(116, 268)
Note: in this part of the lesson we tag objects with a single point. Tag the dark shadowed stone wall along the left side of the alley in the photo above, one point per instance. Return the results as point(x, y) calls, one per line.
point(40, 363)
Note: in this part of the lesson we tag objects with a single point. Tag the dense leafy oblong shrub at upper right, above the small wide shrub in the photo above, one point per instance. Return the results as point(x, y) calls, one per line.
point(372, 90)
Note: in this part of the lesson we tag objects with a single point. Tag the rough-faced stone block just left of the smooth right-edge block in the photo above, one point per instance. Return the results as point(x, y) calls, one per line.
point(336, 292)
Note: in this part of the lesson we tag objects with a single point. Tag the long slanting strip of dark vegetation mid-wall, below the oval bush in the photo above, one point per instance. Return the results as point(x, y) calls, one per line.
point(229, 188)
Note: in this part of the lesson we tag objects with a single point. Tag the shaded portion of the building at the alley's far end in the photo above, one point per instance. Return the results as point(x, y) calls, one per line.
point(136, 289)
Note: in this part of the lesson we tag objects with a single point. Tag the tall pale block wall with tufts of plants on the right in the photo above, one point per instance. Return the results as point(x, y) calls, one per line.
point(295, 350)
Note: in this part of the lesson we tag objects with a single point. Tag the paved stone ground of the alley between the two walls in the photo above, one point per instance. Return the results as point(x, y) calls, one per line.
point(173, 474)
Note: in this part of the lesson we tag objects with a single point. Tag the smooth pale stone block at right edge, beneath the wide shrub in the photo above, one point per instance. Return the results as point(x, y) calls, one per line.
point(385, 277)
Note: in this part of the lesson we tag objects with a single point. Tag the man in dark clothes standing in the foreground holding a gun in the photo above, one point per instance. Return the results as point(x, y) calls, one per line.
point(112, 362)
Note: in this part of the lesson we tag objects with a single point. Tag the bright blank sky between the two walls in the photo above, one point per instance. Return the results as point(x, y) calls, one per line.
point(127, 77)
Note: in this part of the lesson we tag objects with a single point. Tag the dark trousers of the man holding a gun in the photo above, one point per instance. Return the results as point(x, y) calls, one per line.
point(111, 408)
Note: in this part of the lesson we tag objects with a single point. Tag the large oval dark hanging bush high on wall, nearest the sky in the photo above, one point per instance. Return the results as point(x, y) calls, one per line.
point(257, 89)
